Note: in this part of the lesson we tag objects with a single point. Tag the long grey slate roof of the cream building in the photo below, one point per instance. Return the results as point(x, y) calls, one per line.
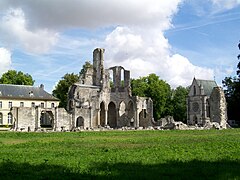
point(24, 92)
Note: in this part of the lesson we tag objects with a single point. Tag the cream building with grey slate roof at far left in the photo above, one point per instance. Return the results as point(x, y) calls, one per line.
point(14, 98)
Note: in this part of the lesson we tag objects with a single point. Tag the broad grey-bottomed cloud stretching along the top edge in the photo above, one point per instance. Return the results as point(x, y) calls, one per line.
point(94, 13)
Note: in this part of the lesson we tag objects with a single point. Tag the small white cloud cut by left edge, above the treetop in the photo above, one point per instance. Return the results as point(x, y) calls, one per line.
point(5, 60)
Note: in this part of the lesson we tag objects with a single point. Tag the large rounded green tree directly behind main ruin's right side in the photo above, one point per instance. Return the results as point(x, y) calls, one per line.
point(158, 90)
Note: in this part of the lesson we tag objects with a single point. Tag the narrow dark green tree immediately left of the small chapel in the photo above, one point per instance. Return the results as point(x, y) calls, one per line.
point(179, 104)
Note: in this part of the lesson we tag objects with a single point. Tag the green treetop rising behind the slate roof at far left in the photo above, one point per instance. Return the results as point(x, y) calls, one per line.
point(16, 77)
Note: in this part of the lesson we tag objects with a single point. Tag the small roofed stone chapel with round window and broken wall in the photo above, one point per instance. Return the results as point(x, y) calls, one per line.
point(206, 103)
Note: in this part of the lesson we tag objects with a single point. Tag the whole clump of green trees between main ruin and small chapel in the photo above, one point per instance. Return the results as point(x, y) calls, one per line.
point(165, 100)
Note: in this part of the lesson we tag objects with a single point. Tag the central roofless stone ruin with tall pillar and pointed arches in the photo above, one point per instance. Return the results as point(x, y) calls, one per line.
point(103, 97)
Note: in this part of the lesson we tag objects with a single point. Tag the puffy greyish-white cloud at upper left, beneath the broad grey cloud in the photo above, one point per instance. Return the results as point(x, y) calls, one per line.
point(13, 27)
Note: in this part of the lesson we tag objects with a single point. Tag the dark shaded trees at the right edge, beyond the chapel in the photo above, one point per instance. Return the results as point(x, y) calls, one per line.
point(232, 92)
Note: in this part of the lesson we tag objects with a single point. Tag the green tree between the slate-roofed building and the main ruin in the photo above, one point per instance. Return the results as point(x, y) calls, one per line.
point(62, 88)
